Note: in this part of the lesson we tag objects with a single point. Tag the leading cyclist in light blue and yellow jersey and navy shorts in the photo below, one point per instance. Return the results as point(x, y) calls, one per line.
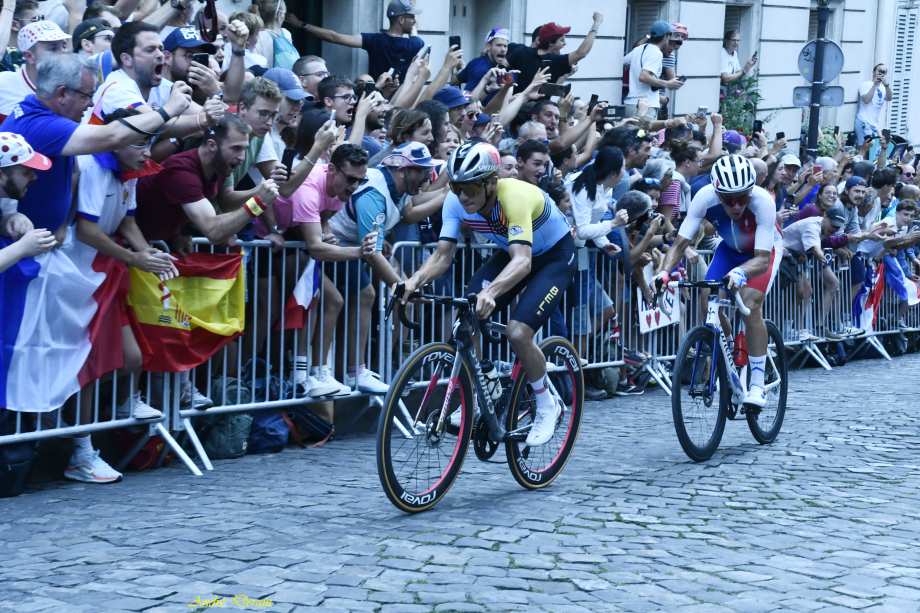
point(536, 262)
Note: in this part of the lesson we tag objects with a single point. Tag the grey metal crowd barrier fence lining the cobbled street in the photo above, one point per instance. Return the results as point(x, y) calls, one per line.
point(601, 332)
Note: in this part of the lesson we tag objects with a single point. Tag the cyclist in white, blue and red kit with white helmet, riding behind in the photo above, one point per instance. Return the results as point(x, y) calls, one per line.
point(750, 252)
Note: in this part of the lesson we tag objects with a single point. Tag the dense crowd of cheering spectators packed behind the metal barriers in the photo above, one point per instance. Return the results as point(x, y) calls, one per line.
point(188, 134)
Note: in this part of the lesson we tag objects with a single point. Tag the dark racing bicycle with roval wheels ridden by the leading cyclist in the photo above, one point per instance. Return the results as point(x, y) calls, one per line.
point(420, 449)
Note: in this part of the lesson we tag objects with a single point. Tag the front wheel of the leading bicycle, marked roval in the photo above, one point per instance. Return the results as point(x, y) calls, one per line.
point(419, 454)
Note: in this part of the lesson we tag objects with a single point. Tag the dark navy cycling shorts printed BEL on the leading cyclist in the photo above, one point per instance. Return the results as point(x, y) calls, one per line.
point(543, 288)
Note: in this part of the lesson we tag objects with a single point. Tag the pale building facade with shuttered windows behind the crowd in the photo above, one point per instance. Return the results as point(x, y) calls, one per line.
point(868, 31)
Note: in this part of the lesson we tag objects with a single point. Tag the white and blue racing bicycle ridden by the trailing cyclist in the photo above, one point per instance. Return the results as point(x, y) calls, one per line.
point(709, 387)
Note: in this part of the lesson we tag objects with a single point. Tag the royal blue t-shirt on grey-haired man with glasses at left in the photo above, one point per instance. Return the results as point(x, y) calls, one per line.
point(47, 203)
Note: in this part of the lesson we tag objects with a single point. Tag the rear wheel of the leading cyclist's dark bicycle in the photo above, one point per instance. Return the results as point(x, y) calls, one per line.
point(537, 467)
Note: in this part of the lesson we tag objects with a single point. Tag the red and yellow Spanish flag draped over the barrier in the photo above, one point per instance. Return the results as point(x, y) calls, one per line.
point(180, 324)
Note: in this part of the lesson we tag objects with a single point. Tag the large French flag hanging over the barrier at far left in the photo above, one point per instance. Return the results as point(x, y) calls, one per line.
point(57, 324)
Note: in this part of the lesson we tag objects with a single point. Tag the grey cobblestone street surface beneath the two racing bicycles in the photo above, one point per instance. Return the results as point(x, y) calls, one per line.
point(825, 519)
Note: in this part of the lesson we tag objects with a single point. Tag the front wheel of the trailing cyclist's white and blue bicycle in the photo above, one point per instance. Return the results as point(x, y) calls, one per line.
point(699, 416)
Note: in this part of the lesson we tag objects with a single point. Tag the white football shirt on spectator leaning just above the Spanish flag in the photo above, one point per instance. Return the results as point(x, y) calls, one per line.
point(102, 197)
